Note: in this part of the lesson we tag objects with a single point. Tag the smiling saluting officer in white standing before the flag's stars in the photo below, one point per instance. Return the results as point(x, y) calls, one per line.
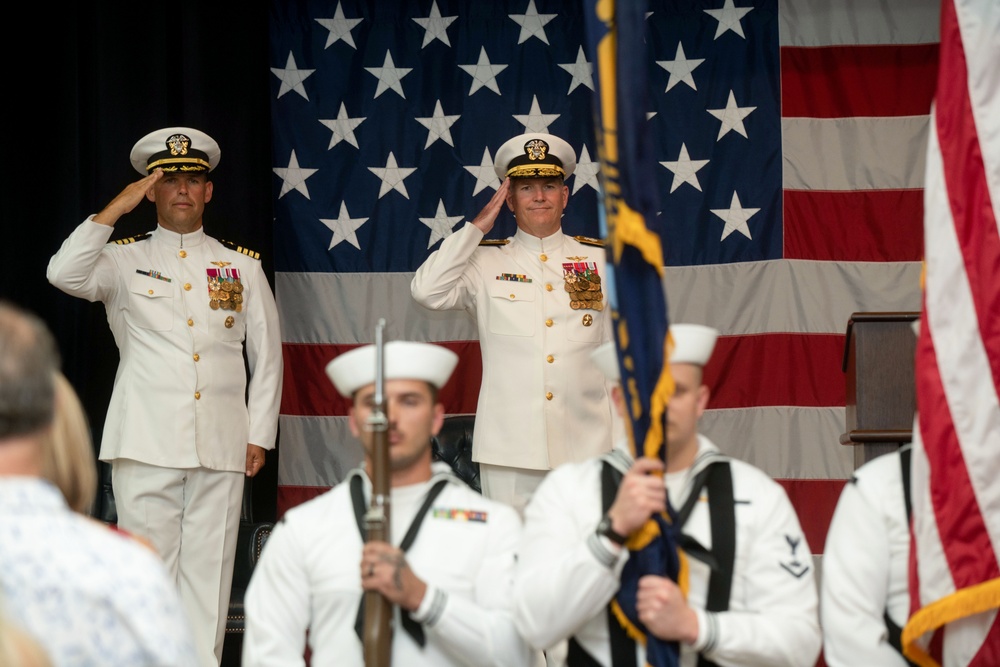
point(540, 304)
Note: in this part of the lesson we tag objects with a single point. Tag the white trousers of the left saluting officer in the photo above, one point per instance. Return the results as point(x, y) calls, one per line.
point(192, 517)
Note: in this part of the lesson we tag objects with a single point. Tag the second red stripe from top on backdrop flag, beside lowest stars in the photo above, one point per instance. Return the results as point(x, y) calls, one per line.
point(854, 226)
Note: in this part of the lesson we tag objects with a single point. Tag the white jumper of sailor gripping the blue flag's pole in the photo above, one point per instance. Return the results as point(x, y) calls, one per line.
point(567, 574)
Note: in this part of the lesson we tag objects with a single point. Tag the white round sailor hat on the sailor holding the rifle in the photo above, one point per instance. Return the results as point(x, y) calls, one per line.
point(404, 360)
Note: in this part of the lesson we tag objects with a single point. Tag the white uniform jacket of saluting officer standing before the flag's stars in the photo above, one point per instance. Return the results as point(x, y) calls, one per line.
point(539, 384)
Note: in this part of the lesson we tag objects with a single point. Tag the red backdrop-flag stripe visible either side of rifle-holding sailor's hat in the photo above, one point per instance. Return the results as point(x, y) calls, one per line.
point(307, 390)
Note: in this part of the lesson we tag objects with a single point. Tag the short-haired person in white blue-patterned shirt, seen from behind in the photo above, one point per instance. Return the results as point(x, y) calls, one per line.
point(87, 595)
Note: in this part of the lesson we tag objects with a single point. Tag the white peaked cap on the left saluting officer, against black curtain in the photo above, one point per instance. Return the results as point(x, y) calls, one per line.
point(175, 149)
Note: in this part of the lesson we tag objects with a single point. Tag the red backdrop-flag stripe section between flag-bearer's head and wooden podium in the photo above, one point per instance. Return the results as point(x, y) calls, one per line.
point(803, 370)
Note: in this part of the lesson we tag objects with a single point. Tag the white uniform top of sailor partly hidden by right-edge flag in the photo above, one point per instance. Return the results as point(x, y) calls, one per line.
point(865, 567)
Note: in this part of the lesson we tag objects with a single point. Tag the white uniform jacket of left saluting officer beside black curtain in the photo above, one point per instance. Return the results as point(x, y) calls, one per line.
point(179, 393)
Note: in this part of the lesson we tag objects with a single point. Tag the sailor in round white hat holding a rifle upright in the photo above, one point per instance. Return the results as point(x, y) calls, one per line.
point(447, 569)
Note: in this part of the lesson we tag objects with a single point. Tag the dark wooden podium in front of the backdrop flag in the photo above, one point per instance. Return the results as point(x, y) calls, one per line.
point(881, 398)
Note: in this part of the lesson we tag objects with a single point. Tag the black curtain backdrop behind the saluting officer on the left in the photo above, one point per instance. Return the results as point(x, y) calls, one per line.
point(84, 82)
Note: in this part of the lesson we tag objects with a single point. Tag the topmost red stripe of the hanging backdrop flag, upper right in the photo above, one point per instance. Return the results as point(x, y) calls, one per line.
point(846, 81)
